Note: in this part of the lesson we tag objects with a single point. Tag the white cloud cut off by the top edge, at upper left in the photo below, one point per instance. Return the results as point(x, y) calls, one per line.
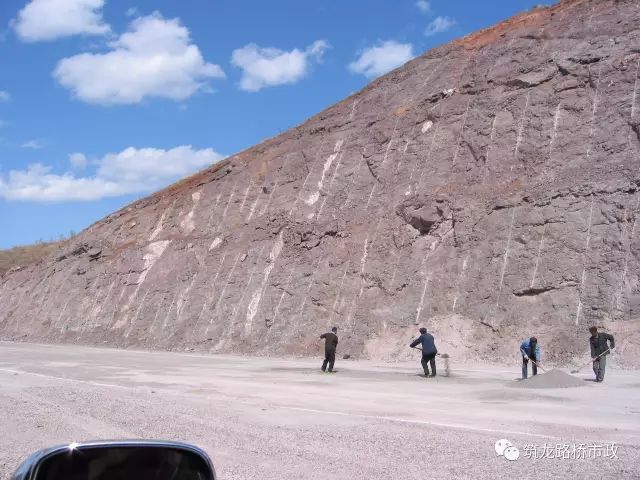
point(50, 19)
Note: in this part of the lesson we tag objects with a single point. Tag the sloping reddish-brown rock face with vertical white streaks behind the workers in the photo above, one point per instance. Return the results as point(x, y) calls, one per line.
point(487, 190)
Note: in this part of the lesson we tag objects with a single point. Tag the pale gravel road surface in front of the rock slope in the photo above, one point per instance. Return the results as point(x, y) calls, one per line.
point(284, 419)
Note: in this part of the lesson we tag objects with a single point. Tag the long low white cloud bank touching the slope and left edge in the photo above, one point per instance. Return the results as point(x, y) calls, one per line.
point(130, 171)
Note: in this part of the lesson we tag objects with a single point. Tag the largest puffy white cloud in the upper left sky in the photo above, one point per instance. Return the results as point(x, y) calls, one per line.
point(155, 58)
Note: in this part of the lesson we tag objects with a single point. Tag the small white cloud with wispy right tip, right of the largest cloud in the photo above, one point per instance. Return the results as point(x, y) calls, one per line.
point(268, 67)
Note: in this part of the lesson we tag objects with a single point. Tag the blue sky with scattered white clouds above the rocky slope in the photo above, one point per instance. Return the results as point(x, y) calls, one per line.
point(105, 101)
